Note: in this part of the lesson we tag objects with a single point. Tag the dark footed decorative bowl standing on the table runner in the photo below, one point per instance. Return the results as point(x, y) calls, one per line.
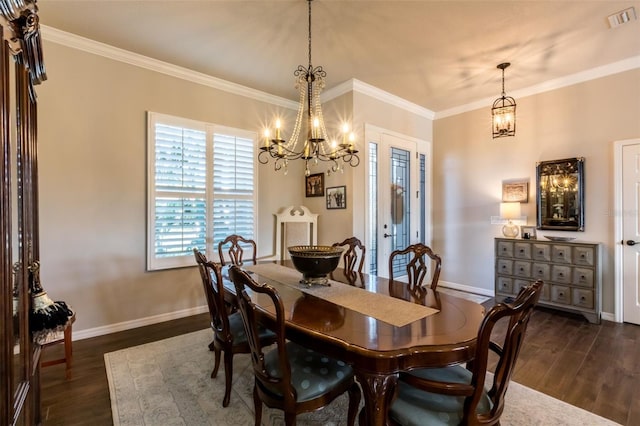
point(315, 262)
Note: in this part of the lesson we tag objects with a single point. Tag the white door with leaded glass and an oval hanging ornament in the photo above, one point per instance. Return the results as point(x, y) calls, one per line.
point(398, 210)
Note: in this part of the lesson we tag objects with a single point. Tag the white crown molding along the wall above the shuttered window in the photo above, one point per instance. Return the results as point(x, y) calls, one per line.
point(101, 49)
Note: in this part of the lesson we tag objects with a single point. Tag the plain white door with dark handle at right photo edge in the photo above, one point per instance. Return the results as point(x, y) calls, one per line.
point(631, 233)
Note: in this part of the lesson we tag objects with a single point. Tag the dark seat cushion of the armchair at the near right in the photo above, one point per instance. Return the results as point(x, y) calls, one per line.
point(417, 407)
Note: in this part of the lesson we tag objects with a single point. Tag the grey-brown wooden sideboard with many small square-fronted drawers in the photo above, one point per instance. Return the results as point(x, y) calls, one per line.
point(571, 272)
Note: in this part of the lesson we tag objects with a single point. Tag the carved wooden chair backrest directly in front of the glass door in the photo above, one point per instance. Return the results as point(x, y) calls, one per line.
point(417, 266)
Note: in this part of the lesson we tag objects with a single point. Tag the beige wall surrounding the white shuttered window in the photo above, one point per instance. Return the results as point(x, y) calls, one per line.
point(92, 156)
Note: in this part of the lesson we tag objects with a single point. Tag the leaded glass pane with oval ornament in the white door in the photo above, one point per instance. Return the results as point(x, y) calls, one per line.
point(400, 205)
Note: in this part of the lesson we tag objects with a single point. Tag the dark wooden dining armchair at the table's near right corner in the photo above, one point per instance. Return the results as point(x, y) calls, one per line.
point(456, 395)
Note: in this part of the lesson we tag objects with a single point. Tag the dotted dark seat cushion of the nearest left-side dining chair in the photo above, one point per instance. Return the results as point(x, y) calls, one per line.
point(312, 373)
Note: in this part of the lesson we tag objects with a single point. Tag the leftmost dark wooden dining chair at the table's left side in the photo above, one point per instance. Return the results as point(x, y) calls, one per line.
point(228, 331)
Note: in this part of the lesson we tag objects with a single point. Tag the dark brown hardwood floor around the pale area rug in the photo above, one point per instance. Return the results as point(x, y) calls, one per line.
point(594, 367)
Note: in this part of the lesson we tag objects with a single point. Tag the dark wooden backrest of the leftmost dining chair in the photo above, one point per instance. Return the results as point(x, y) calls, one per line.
point(211, 275)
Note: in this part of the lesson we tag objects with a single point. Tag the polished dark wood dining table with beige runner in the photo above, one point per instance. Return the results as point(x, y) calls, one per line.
point(379, 327)
